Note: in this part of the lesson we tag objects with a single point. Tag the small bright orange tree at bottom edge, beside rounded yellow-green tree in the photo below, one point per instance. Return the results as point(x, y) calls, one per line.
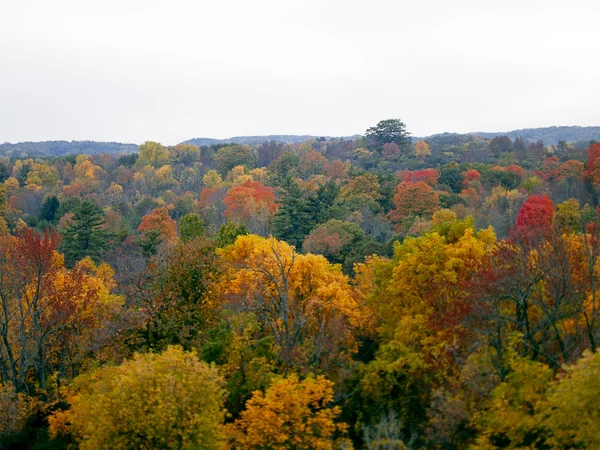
point(290, 414)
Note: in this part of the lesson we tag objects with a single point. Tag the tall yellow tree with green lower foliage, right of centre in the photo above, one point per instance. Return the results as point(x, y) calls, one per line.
point(422, 299)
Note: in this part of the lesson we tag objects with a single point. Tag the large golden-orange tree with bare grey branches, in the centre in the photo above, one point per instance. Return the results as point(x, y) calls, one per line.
point(302, 300)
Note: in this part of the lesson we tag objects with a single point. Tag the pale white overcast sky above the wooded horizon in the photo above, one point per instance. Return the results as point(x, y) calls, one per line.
point(136, 70)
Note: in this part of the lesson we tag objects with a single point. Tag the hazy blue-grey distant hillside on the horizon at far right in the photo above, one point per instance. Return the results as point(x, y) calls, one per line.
point(550, 135)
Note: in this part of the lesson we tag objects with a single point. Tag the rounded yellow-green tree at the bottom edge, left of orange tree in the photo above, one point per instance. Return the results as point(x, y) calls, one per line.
point(169, 400)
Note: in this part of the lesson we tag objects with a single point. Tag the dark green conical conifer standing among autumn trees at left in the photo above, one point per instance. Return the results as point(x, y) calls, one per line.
point(86, 234)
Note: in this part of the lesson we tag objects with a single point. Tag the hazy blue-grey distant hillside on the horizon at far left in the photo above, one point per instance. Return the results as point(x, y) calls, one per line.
point(61, 148)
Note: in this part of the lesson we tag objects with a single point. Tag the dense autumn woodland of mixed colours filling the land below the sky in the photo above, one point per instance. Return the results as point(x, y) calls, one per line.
point(373, 293)
